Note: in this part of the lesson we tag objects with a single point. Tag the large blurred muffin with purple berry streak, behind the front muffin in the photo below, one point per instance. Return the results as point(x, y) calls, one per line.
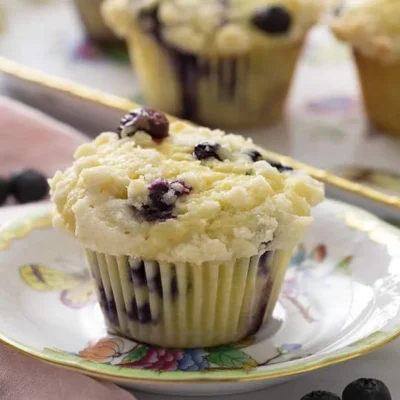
point(225, 63)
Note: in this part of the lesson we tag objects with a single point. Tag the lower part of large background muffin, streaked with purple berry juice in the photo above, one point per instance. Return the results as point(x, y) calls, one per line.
point(225, 92)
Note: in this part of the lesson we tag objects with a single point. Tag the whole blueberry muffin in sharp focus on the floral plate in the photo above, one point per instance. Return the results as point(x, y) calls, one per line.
point(187, 231)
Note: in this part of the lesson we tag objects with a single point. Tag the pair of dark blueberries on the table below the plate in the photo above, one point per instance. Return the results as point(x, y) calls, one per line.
point(361, 389)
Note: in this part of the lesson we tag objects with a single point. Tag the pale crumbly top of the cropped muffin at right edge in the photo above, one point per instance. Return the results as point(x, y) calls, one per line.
point(372, 27)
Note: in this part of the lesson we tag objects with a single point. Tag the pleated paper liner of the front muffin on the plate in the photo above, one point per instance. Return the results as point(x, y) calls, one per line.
point(184, 305)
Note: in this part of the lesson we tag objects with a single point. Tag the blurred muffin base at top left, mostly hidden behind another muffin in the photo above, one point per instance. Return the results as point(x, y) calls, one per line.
point(90, 14)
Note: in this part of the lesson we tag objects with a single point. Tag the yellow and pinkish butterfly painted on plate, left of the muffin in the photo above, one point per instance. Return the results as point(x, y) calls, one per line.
point(76, 289)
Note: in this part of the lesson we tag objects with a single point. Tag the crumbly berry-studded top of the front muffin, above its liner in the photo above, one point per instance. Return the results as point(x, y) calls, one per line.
point(180, 193)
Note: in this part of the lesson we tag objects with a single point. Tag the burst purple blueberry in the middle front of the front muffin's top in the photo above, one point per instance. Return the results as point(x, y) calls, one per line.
point(162, 199)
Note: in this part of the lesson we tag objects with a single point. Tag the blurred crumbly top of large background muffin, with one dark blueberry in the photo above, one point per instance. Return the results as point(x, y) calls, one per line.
point(223, 27)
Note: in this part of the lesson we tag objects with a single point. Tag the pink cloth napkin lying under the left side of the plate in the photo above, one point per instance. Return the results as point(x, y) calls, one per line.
point(30, 139)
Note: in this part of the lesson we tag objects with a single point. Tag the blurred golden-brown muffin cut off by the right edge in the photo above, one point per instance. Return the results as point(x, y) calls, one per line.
point(372, 27)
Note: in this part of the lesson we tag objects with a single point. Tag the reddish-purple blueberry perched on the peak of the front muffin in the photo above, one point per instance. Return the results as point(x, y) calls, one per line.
point(148, 120)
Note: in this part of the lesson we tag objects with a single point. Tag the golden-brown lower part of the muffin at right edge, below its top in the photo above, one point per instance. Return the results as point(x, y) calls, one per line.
point(380, 84)
